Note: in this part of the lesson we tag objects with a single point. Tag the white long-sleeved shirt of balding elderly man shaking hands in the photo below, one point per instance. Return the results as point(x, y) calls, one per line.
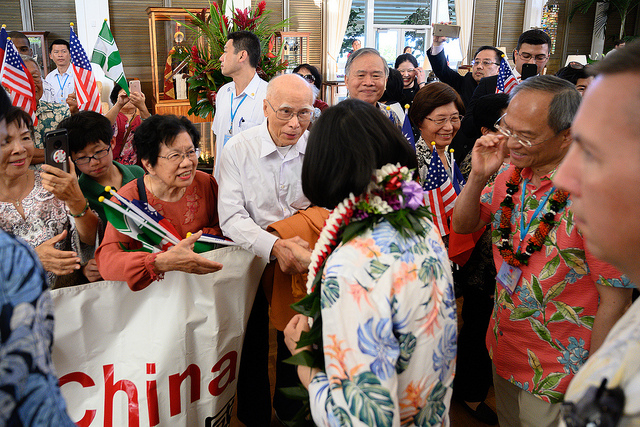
point(258, 186)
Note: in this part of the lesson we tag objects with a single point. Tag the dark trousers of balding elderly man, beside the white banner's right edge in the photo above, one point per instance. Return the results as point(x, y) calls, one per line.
point(254, 393)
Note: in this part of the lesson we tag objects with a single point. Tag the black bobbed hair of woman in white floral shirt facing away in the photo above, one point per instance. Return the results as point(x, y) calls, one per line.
point(346, 145)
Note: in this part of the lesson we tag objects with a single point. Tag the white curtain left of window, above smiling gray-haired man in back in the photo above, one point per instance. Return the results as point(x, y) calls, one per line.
point(336, 18)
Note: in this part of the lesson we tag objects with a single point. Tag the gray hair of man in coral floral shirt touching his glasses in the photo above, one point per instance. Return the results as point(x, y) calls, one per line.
point(564, 105)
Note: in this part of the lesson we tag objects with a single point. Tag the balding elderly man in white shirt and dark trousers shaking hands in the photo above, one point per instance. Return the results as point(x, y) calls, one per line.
point(260, 183)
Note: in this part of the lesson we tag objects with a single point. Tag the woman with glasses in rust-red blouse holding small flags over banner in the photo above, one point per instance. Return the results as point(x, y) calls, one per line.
point(185, 199)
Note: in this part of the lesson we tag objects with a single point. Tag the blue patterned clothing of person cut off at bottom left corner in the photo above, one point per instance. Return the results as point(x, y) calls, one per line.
point(29, 392)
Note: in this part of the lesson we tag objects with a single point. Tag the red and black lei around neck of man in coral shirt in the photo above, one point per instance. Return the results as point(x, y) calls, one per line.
point(517, 259)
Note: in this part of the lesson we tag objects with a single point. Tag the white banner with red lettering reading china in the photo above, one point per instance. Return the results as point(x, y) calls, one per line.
point(167, 355)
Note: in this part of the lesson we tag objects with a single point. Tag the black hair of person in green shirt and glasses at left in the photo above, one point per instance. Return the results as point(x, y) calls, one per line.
point(86, 127)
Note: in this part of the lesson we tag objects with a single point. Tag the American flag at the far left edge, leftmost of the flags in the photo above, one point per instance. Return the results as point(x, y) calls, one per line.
point(16, 77)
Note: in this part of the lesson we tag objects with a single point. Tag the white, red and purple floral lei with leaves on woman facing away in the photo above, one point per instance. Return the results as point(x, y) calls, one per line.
point(393, 195)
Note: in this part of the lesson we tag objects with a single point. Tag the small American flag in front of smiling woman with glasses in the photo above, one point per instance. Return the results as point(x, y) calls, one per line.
point(440, 193)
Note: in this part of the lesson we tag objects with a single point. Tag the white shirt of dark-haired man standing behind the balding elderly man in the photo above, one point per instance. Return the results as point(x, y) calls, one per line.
point(247, 113)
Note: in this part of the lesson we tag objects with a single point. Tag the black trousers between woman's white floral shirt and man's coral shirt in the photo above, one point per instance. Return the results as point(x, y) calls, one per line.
point(473, 367)
